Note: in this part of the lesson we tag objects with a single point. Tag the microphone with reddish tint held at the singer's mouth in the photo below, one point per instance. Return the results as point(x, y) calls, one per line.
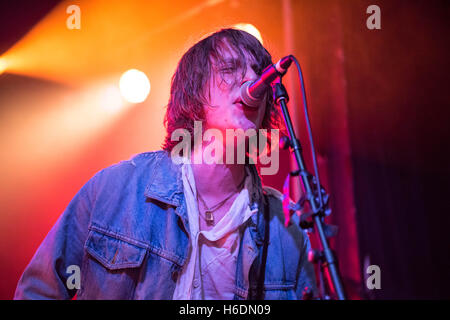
point(252, 92)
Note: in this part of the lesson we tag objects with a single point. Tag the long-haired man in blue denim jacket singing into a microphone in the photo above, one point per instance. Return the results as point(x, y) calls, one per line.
point(155, 228)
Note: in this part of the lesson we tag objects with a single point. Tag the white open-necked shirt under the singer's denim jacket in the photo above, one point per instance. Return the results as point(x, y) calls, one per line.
point(210, 270)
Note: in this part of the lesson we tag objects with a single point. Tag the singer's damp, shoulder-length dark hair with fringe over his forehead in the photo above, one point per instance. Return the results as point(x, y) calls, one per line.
point(196, 70)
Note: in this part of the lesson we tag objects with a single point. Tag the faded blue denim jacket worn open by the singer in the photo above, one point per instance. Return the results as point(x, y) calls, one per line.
point(126, 231)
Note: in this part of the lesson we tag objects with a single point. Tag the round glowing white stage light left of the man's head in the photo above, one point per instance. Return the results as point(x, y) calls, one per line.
point(134, 86)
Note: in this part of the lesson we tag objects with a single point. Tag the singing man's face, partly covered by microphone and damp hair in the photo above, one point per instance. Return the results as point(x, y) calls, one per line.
point(225, 110)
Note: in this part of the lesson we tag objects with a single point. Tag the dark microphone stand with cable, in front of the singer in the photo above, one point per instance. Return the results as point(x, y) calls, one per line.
point(326, 256)
